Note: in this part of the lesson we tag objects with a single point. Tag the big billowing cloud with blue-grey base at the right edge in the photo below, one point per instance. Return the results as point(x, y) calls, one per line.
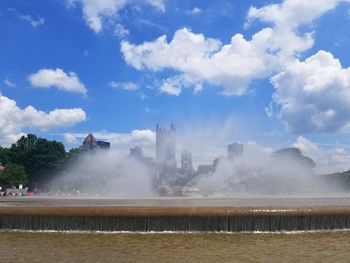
point(314, 95)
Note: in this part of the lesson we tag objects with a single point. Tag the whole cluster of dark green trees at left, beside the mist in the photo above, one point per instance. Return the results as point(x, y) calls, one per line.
point(32, 161)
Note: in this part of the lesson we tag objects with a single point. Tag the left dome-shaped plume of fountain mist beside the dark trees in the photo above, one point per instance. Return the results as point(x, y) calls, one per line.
point(104, 173)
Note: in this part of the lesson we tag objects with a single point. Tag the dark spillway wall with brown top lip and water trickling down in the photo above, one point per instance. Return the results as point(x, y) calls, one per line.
point(175, 219)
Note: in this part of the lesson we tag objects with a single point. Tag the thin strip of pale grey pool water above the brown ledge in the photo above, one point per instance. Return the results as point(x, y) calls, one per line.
point(233, 201)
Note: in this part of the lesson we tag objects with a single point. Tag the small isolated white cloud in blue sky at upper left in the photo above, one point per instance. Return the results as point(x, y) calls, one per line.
point(47, 78)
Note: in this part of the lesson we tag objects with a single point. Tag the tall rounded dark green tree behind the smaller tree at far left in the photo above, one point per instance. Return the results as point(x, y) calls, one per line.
point(41, 158)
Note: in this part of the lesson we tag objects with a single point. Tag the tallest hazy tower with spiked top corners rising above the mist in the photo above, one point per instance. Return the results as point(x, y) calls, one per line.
point(165, 144)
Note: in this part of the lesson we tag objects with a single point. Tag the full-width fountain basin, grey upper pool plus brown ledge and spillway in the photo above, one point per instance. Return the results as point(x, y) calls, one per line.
point(188, 215)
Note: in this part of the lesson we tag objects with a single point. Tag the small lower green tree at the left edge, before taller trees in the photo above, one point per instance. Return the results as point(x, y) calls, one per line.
point(13, 175)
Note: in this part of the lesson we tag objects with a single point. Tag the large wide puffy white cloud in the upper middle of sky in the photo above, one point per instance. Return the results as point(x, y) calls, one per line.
point(204, 59)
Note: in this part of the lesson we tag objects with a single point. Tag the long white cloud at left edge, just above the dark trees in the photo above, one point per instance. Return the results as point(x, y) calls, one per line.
point(13, 120)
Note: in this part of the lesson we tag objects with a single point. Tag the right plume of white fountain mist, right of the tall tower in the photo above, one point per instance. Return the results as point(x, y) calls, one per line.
point(258, 172)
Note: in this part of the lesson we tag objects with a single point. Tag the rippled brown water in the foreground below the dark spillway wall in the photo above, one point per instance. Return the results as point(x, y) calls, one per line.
point(136, 247)
